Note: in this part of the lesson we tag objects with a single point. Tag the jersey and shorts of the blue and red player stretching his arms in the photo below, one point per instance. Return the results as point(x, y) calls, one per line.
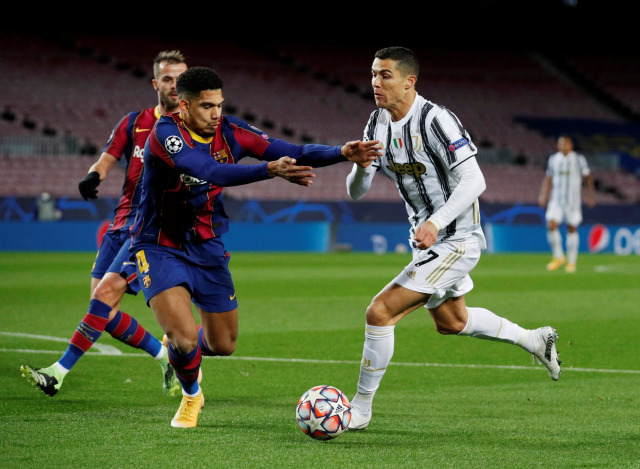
point(182, 211)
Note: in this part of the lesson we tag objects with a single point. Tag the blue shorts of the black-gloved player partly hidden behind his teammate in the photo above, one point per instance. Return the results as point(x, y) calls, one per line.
point(114, 256)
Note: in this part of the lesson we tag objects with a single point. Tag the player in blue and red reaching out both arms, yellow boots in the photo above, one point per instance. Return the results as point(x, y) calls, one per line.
point(180, 254)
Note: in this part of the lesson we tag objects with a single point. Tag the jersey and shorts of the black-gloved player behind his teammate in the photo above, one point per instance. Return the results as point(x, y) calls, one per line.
point(126, 141)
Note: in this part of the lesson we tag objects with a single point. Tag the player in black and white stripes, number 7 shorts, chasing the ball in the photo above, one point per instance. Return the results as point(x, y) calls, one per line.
point(431, 158)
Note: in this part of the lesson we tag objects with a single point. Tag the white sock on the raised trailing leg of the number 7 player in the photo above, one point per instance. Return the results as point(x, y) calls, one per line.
point(483, 324)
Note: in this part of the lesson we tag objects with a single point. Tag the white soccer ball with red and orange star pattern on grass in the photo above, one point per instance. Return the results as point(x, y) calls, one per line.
point(323, 412)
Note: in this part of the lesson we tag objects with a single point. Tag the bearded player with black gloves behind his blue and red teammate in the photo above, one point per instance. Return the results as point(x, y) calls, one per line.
point(113, 274)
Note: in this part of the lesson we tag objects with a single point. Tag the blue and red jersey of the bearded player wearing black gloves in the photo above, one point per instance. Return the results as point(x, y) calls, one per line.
point(127, 140)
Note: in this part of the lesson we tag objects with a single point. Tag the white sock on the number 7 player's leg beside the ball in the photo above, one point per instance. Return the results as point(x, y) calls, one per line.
point(376, 356)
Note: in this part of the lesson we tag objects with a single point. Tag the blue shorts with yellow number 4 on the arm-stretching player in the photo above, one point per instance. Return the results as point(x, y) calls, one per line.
point(201, 267)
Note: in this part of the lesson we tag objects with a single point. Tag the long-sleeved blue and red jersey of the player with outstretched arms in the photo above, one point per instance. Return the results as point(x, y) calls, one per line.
point(184, 175)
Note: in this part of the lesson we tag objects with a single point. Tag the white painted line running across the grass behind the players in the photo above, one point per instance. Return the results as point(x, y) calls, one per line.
point(106, 350)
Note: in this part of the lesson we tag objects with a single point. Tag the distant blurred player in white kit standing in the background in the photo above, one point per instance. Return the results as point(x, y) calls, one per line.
point(566, 171)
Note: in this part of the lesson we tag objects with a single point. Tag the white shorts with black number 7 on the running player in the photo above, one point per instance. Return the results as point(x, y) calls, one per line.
point(442, 271)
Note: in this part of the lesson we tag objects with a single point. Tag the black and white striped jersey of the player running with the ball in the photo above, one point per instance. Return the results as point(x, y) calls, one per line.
point(420, 153)
